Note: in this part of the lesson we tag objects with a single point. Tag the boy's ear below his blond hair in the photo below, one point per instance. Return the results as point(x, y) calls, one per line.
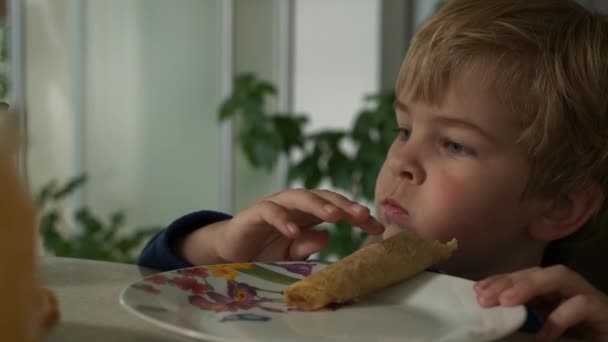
point(567, 213)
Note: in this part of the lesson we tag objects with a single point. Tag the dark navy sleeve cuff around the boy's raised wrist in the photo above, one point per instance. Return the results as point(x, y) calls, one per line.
point(159, 252)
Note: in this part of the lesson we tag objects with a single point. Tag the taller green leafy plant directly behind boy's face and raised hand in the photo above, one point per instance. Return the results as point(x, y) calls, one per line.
point(321, 156)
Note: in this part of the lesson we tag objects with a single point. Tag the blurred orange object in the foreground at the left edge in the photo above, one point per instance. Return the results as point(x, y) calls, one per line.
point(27, 309)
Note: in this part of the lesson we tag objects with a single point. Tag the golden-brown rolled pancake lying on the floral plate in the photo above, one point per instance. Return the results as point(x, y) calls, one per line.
point(367, 270)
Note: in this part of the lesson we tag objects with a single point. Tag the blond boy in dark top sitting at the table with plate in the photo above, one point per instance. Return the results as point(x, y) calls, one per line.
point(502, 143)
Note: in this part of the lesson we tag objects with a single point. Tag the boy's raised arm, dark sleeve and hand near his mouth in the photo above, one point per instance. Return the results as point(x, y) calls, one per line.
point(277, 227)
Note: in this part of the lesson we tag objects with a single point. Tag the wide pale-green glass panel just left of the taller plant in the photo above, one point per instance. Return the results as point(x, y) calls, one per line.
point(153, 80)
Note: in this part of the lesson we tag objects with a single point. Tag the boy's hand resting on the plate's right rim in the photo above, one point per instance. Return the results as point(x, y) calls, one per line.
point(561, 295)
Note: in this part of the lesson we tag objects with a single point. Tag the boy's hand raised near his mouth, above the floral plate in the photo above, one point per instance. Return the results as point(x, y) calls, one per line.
point(277, 228)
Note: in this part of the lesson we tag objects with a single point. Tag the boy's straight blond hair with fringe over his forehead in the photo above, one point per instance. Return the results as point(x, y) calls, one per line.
point(547, 61)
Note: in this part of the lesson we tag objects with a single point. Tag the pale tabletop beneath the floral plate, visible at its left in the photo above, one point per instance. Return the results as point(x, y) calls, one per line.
point(89, 292)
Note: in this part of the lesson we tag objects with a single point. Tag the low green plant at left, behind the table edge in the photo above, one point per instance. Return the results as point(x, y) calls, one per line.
point(86, 236)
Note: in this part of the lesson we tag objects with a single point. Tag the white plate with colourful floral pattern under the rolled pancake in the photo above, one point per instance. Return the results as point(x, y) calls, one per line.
point(243, 302)
